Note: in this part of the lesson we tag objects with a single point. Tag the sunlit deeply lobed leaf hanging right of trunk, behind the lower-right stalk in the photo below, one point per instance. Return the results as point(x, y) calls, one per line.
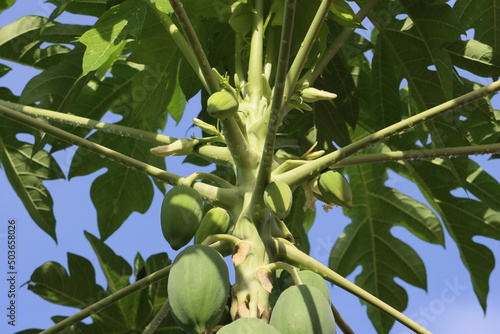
point(368, 241)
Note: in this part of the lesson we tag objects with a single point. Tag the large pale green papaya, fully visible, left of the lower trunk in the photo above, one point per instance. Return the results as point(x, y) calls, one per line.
point(198, 288)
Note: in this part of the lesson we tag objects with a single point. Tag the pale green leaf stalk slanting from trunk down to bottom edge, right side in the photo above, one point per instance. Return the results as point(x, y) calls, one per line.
point(304, 261)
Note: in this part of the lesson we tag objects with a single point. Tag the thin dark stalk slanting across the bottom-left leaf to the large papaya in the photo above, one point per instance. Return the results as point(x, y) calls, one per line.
point(105, 302)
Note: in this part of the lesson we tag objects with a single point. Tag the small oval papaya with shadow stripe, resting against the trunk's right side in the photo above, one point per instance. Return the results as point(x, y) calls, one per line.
point(278, 198)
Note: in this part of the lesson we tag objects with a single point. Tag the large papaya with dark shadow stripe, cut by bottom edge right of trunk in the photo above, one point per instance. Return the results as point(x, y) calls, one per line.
point(302, 309)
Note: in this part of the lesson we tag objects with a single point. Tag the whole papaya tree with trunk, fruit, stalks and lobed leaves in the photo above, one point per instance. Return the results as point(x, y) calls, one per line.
point(301, 109)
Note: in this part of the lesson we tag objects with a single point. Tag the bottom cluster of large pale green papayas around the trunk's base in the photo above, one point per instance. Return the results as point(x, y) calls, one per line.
point(199, 303)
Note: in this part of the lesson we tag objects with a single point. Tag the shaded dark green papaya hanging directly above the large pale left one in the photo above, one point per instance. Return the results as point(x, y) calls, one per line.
point(181, 213)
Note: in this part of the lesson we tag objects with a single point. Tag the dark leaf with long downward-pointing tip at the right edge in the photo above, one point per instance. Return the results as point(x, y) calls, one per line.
point(464, 218)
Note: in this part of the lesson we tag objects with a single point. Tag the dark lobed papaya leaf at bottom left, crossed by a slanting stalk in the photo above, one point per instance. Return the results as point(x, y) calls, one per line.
point(78, 288)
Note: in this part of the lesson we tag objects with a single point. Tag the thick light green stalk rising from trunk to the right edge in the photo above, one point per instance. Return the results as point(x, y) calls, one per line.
point(303, 173)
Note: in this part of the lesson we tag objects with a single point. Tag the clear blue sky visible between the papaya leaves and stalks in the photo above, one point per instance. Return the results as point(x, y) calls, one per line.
point(449, 306)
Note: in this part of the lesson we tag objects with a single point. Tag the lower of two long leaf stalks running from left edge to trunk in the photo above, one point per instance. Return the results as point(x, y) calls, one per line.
point(224, 197)
